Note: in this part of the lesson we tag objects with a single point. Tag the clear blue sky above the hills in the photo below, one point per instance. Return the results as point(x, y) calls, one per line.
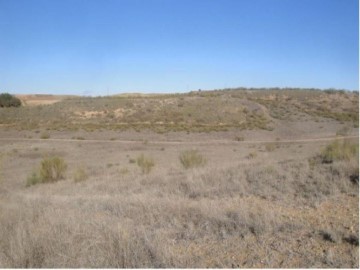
point(114, 46)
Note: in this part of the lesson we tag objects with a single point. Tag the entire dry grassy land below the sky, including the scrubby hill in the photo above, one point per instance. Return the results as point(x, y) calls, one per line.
point(238, 178)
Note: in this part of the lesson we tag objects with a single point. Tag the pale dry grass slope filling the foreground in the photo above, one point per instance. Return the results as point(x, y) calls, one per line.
point(195, 219)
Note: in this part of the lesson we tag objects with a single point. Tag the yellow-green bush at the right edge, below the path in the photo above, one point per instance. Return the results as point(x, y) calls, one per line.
point(337, 150)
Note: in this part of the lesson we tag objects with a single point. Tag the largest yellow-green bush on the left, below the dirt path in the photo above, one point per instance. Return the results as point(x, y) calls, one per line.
point(52, 169)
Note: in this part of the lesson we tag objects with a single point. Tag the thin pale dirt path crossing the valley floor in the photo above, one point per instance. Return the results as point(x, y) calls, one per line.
point(183, 142)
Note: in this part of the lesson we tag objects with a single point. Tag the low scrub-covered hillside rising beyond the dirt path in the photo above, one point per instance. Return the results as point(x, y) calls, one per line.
point(197, 113)
